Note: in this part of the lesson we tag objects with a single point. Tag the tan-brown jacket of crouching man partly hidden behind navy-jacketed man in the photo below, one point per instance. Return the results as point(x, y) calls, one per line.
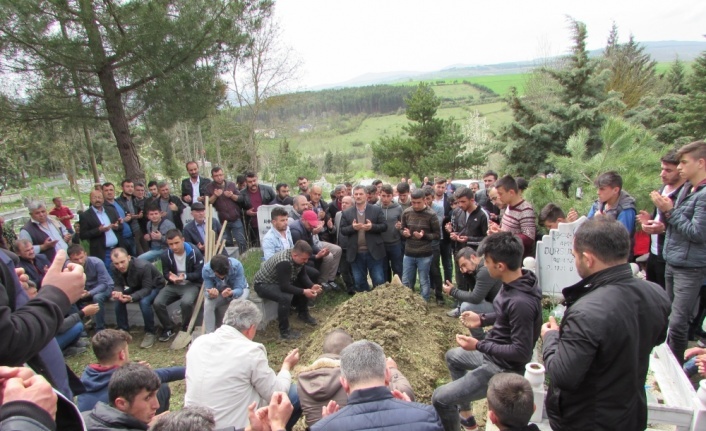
point(319, 383)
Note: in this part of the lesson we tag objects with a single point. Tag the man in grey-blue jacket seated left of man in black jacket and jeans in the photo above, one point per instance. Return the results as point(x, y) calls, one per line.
point(99, 284)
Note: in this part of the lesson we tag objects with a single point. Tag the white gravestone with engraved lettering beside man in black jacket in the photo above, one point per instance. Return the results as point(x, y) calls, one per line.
point(555, 266)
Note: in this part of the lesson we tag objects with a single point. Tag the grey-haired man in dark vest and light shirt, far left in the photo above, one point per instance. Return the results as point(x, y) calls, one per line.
point(46, 236)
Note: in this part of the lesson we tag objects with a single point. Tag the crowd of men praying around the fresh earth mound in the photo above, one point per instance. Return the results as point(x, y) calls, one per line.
point(467, 243)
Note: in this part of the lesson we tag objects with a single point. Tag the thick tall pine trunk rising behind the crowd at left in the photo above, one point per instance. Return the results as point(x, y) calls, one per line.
point(111, 96)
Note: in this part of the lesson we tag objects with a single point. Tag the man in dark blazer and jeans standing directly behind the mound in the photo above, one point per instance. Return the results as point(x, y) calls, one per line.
point(362, 225)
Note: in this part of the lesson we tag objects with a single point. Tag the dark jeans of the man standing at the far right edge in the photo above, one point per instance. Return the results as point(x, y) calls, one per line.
point(683, 288)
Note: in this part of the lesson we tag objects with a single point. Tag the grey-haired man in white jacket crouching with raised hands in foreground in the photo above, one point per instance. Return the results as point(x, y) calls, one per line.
point(229, 387)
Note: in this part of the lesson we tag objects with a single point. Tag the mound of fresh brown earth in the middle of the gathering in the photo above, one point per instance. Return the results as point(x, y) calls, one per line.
point(400, 321)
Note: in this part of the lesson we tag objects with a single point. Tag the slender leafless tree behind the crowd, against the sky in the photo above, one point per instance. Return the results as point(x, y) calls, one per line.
point(264, 68)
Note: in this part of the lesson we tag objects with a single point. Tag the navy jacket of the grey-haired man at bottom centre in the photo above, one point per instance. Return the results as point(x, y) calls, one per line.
point(375, 408)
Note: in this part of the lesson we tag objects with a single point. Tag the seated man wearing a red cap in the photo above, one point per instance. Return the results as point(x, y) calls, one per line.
point(327, 255)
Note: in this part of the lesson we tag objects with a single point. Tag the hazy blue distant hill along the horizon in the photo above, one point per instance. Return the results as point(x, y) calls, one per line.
point(661, 51)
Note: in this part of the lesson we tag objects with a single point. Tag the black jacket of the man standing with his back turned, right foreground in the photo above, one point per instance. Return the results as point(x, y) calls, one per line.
point(597, 362)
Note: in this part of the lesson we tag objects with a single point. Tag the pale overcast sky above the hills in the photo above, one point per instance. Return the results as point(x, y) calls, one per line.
point(338, 40)
